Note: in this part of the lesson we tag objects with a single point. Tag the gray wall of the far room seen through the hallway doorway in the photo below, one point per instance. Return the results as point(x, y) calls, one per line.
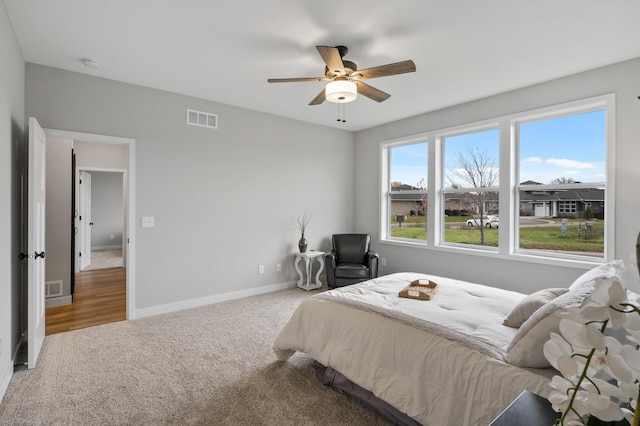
point(107, 209)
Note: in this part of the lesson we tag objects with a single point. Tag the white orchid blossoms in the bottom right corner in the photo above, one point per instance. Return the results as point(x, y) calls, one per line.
point(600, 375)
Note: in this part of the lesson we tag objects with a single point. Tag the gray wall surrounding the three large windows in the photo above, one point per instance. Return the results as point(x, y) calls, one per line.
point(517, 275)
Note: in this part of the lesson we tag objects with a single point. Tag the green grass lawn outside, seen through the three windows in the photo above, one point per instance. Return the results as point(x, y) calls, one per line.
point(547, 237)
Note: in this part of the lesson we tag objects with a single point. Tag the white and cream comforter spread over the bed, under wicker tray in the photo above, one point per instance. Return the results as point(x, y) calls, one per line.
point(439, 361)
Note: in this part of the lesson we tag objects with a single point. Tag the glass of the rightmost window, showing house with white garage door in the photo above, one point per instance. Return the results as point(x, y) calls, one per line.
point(566, 152)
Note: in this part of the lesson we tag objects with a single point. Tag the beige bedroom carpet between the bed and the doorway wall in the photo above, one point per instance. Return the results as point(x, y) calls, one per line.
point(207, 366)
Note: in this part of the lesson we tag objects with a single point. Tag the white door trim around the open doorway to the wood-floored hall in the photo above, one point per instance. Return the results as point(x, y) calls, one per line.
point(130, 196)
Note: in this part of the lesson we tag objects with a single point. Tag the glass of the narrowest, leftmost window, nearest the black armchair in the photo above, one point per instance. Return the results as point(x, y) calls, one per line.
point(408, 191)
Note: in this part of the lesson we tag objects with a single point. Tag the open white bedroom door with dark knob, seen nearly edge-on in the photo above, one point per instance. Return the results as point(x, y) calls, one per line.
point(35, 241)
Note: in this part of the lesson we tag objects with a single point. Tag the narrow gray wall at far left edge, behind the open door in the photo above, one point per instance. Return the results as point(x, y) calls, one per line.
point(12, 119)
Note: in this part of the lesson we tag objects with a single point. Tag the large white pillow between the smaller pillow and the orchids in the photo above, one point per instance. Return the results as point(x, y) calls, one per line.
point(525, 349)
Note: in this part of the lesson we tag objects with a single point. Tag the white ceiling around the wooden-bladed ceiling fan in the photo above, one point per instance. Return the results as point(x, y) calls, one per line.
point(224, 51)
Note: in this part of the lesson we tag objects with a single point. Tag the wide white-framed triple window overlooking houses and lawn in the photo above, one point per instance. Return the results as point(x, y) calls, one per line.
point(535, 173)
